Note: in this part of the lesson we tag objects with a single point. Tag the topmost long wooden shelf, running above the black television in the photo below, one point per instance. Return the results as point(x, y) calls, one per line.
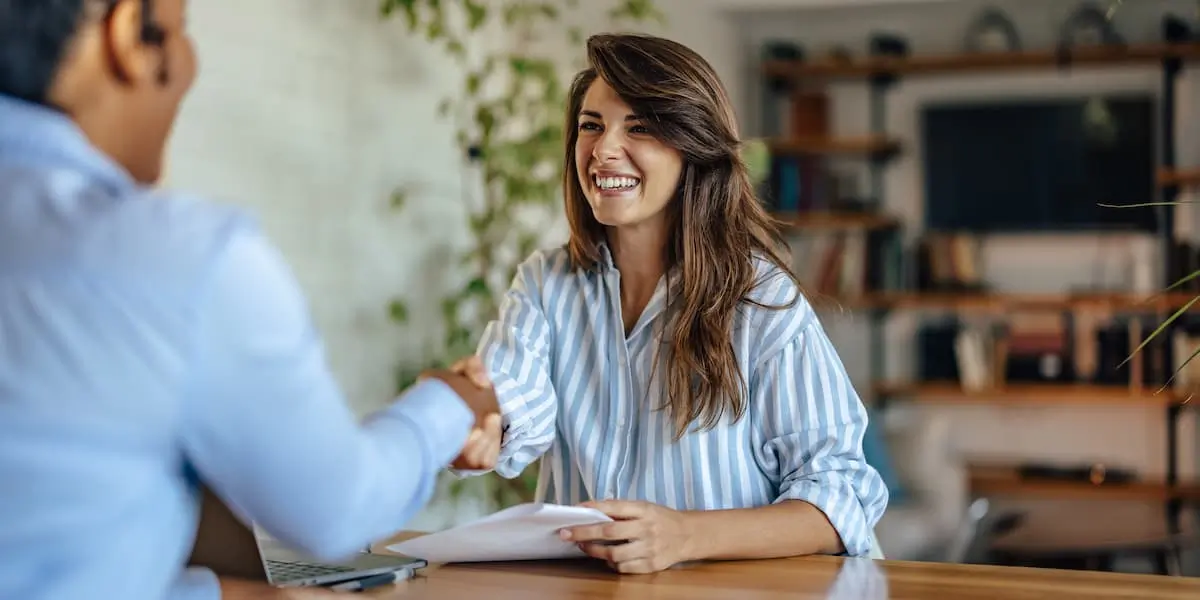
point(869, 67)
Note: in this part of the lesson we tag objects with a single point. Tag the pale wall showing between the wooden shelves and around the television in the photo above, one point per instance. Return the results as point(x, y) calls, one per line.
point(1124, 436)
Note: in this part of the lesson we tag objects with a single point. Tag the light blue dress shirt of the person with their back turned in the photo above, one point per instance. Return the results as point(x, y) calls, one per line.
point(148, 340)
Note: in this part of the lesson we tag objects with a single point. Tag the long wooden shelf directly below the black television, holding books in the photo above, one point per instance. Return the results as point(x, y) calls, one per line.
point(1006, 303)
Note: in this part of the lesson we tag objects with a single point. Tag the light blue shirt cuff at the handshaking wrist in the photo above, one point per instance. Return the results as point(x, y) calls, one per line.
point(439, 416)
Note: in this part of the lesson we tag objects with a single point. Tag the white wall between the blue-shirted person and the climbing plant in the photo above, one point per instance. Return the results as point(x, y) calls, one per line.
point(309, 113)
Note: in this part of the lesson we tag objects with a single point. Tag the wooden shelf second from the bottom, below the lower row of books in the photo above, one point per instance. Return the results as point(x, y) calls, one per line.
point(952, 393)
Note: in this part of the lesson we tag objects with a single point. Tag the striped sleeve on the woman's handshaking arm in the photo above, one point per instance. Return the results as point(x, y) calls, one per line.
point(515, 350)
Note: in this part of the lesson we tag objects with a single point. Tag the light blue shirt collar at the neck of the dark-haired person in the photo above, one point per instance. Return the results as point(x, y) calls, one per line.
point(38, 135)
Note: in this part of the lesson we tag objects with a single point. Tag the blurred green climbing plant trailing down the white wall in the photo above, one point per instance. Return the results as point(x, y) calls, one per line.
point(508, 119)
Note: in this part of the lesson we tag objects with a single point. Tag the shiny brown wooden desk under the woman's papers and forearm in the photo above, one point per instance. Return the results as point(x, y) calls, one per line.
point(796, 579)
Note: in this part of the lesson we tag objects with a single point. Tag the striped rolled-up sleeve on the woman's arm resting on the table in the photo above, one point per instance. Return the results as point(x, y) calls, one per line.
point(813, 424)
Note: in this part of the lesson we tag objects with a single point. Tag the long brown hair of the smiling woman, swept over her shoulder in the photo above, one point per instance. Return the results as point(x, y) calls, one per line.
point(718, 226)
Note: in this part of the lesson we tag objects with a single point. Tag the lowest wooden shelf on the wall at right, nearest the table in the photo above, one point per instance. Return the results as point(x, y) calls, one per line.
point(994, 481)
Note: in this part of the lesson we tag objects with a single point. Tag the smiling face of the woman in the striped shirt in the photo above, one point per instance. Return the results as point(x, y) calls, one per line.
point(627, 175)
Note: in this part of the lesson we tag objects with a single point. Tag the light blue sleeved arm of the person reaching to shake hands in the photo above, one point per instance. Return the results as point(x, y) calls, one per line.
point(268, 430)
